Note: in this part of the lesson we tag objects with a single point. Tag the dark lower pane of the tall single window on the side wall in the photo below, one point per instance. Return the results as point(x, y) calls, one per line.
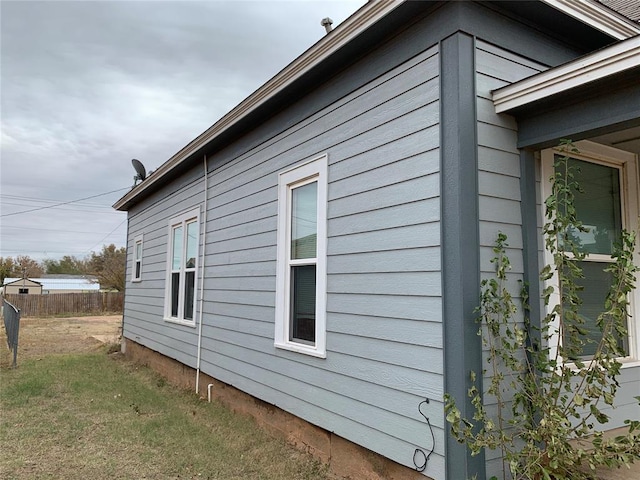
point(303, 303)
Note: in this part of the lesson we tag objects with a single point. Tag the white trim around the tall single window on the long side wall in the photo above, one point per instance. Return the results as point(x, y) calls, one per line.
point(314, 170)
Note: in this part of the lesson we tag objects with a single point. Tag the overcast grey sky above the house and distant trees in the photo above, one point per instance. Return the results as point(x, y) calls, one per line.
point(86, 86)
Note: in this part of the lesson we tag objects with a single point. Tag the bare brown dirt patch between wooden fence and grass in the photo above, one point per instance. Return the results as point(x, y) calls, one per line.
point(53, 336)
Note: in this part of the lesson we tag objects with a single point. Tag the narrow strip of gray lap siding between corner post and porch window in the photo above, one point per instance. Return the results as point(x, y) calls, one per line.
point(499, 177)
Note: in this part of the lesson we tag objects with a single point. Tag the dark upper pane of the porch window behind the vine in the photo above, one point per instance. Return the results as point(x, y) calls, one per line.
point(597, 205)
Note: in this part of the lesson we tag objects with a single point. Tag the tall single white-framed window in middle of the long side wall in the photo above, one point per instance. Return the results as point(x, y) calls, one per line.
point(301, 266)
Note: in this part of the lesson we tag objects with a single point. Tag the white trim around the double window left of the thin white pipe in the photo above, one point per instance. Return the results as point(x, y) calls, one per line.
point(177, 220)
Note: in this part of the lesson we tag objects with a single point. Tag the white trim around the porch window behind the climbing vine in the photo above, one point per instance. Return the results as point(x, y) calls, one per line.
point(626, 162)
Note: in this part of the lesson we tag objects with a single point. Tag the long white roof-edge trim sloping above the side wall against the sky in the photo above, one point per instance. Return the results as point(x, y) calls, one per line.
point(360, 21)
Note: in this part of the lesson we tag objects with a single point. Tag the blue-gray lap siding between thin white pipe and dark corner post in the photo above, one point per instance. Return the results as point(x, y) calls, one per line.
point(384, 332)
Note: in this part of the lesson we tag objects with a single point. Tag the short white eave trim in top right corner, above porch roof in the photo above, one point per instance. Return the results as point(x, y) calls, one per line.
point(598, 16)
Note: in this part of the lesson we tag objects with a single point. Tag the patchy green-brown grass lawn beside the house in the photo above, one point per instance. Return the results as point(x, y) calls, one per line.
point(91, 415)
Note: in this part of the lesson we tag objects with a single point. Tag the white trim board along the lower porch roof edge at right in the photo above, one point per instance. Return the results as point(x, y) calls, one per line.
point(603, 63)
